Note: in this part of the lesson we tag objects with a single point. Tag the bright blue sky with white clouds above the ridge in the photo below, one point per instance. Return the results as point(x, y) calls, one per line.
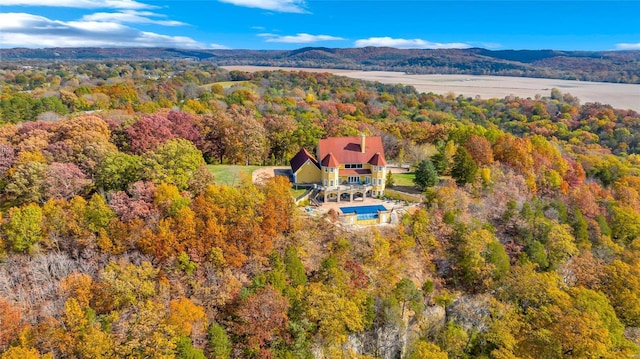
point(291, 24)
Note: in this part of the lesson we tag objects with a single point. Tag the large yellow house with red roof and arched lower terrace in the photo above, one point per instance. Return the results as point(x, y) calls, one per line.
point(344, 166)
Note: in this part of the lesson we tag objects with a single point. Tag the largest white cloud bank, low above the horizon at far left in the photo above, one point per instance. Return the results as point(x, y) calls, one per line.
point(27, 30)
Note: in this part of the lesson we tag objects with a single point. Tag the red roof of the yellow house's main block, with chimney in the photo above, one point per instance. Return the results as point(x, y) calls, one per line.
point(348, 150)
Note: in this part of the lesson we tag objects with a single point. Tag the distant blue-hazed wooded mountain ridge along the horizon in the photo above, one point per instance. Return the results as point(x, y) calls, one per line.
point(607, 66)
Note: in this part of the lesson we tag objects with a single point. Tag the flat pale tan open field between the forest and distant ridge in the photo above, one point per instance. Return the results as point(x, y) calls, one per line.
point(623, 96)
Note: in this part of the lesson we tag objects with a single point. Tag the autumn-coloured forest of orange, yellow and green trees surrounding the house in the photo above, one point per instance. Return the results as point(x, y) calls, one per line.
point(114, 241)
